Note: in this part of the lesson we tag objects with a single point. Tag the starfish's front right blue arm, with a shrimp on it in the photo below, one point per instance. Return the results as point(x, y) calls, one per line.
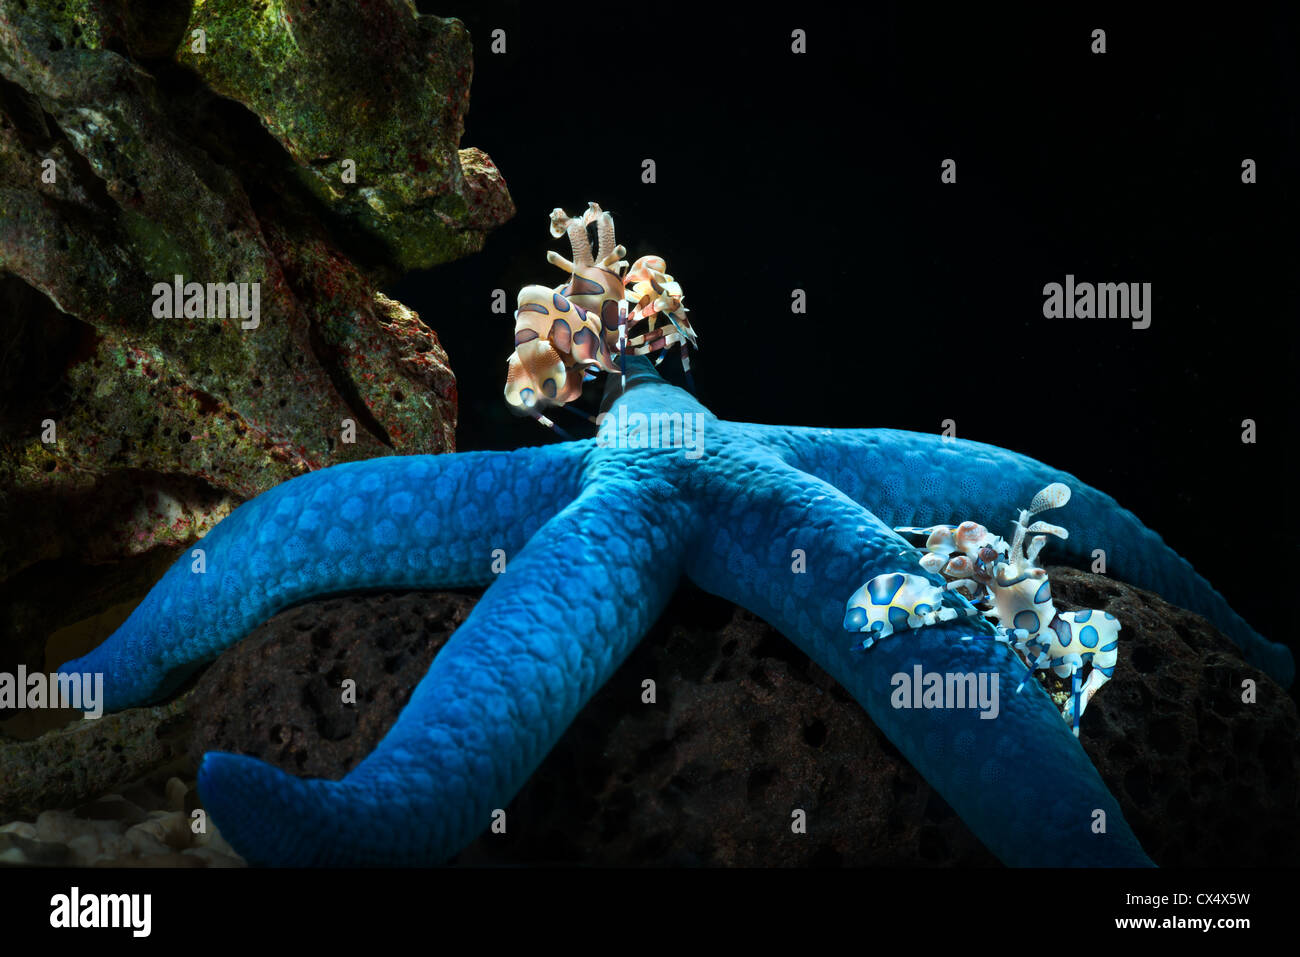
point(1020, 781)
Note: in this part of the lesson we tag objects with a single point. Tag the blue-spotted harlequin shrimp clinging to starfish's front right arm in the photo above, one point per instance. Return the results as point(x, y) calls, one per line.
point(1004, 582)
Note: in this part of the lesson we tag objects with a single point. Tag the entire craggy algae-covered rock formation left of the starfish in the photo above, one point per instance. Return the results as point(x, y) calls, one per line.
point(142, 142)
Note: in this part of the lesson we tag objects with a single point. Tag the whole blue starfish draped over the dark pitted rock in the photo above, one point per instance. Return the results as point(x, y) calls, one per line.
point(596, 539)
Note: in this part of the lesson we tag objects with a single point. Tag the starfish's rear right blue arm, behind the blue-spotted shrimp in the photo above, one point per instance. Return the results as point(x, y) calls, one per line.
point(917, 479)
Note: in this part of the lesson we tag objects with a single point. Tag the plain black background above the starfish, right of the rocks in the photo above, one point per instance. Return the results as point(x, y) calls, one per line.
point(822, 172)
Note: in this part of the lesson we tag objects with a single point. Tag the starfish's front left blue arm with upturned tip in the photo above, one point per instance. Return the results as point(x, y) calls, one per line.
point(544, 638)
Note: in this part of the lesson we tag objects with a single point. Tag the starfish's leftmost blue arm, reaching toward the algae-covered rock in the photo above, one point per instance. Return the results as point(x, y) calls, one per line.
point(401, 522)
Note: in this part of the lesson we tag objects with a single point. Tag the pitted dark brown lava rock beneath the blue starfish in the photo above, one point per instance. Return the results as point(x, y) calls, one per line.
point(747, 730)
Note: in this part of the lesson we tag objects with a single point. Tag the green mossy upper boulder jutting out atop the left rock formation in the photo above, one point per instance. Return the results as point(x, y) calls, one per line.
point(392, 118)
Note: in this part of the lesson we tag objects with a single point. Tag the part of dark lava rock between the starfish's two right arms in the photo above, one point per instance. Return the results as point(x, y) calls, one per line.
point(1204, 778)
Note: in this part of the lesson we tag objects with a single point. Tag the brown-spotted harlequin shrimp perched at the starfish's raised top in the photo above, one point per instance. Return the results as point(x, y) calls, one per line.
point(569, 335)
